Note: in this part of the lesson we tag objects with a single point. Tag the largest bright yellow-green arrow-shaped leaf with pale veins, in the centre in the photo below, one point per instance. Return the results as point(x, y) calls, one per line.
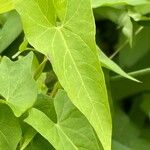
point(70, 46)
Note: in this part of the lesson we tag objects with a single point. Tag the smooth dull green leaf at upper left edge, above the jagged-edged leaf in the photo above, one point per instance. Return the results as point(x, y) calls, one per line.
point(9, 34)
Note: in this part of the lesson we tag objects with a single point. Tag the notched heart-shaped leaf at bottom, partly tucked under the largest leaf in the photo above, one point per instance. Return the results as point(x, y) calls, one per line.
point(71, 126)
